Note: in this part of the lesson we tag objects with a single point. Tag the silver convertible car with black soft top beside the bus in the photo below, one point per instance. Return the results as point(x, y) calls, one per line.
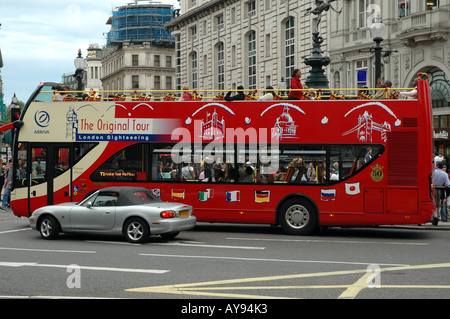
point(133, 212)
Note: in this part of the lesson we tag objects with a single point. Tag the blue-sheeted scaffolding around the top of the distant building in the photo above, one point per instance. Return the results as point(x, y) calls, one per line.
point(138, 23)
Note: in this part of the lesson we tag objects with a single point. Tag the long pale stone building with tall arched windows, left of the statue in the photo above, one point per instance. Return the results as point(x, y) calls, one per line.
point(221, 44)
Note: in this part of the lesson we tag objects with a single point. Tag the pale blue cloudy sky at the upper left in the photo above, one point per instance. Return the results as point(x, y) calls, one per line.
point(39, 40)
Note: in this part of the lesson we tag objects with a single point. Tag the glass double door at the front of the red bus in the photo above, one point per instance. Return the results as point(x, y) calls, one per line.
point(50, 175)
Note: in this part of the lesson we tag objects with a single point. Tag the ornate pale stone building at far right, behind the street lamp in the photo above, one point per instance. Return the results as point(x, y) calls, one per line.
point(417, 38)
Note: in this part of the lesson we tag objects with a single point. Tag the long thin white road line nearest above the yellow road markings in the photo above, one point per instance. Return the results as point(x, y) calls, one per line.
point(273, 260)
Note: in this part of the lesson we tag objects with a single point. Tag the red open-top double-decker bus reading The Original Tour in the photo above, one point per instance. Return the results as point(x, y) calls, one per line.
point(297, 164)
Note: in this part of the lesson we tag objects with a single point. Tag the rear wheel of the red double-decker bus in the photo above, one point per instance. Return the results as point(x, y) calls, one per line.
point(297, 217)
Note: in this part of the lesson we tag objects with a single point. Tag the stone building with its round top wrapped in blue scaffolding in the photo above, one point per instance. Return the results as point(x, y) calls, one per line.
point(139, 54)
